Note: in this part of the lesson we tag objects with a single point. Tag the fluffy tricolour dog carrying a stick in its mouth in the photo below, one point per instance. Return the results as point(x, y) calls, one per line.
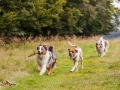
point(46, 59)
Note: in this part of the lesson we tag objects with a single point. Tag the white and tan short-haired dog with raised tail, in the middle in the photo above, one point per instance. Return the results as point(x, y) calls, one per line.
point(75, 54)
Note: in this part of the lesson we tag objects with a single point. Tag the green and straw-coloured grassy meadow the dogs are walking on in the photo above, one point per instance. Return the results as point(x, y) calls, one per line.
point(99, 73)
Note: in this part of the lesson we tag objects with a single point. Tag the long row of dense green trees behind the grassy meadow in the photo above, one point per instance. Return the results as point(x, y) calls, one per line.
point(56, 17)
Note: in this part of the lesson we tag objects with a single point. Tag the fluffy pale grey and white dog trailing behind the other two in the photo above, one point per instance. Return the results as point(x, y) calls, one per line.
point(102, 46)
